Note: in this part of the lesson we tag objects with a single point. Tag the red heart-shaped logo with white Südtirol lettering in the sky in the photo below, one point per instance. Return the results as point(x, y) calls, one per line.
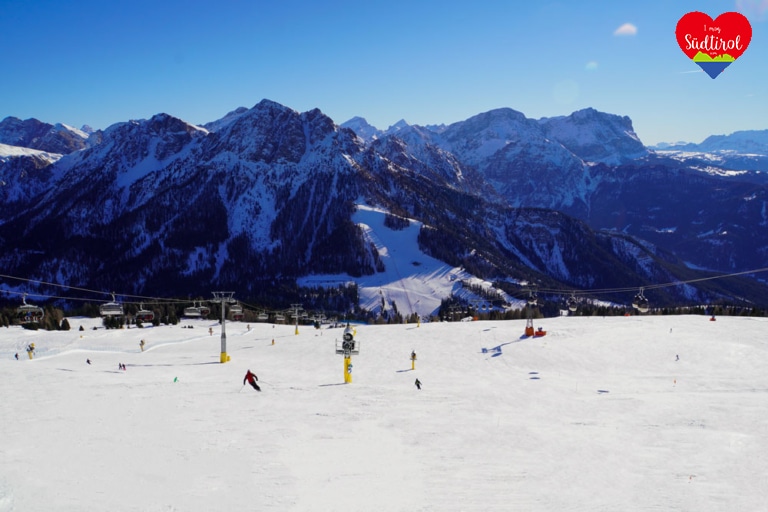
point(713, 44)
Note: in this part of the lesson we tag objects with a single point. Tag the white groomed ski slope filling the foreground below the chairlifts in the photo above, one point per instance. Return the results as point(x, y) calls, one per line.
point(598, 415)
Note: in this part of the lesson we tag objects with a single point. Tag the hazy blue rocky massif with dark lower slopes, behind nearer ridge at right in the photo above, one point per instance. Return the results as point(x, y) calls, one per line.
point(593, 166)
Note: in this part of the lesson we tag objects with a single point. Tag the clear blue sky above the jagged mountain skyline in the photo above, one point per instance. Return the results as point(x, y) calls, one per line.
point(428, 62)
